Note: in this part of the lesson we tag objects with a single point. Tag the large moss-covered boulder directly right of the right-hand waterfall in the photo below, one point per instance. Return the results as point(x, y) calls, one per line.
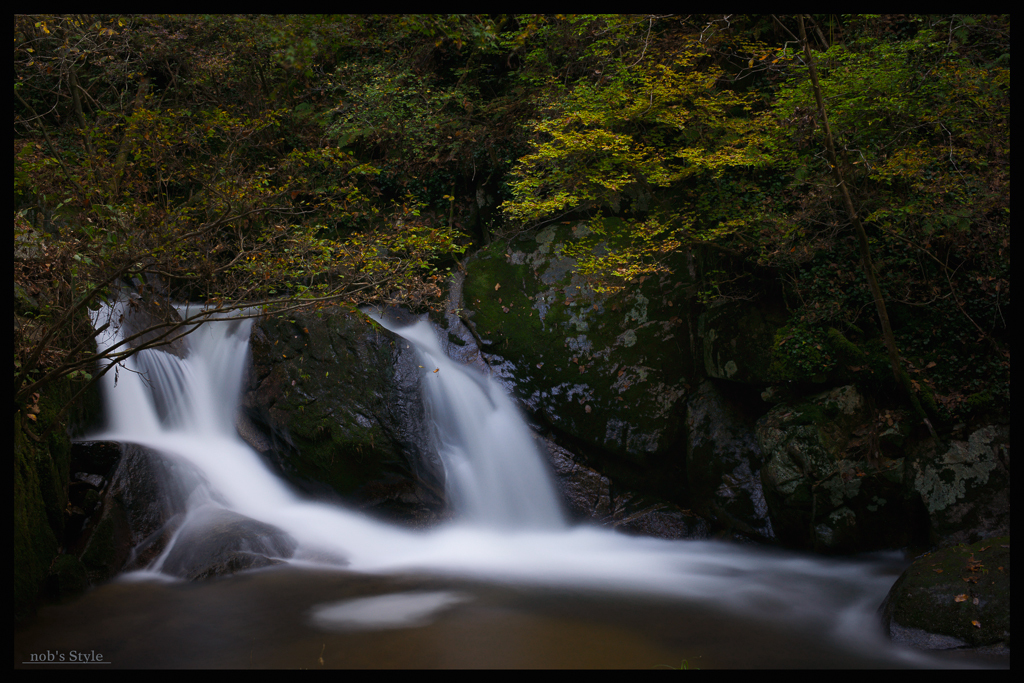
point(608, 372)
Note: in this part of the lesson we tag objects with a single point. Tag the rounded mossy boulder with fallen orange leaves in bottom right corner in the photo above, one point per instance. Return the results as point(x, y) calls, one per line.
point(954, 599)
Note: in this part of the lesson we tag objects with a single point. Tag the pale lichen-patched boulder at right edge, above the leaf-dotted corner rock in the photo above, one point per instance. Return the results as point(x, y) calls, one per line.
point(964, 486)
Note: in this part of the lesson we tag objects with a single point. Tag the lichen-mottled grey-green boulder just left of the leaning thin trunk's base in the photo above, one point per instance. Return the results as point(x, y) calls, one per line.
point(829, 483)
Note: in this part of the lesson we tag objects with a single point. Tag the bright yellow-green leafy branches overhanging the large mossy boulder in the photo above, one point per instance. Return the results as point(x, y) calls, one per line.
point(644, 131)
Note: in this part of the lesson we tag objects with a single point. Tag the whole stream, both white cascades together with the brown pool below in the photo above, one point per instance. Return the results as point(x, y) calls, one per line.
point(509, 584)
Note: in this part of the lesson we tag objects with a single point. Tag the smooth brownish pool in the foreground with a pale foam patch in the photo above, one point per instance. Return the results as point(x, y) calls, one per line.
point(303, 618)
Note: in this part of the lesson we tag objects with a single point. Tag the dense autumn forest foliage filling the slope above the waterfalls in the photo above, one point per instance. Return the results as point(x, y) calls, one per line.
point(312, 159)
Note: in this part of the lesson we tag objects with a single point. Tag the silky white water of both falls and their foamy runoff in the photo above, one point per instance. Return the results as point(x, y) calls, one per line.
point(506, 534)
